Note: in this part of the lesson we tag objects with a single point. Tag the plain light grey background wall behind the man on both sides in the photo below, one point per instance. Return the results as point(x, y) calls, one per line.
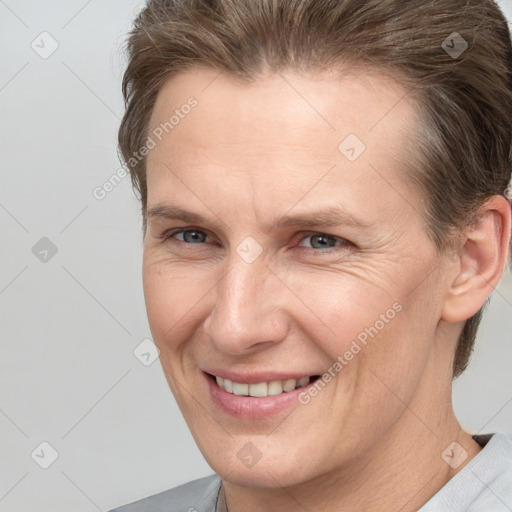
point(69, 326)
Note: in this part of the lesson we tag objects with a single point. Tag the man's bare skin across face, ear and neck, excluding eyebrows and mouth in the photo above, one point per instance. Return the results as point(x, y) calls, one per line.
point(247, 155)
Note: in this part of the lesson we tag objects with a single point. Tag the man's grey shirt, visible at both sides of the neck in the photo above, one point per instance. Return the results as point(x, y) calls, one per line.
point(483, 485)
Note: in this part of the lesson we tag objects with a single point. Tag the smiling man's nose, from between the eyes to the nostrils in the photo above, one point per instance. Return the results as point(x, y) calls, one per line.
point(249, 313)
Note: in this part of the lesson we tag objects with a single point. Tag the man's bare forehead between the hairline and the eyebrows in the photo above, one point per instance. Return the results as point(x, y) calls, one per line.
point(278, 130)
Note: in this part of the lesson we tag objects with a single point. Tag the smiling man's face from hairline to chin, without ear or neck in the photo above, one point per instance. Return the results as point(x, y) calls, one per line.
point(279, 246)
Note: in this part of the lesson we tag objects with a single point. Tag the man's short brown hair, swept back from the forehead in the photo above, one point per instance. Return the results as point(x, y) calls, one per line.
point(462, 152)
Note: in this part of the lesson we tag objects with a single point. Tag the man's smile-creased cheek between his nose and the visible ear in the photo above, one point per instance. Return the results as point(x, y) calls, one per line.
point(366, 327)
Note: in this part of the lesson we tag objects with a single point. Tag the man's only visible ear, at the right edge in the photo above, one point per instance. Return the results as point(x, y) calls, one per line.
point(478, 268)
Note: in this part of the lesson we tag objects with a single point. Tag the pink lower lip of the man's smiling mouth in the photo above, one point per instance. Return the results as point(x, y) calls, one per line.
point(250, 407)
